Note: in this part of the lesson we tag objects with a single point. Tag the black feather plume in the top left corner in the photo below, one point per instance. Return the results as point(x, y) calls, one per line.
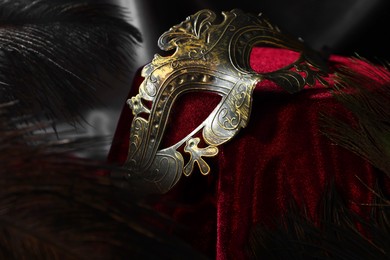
point(53, 53)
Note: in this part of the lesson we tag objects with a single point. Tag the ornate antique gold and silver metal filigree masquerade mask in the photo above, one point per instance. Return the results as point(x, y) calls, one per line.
point(209, 56)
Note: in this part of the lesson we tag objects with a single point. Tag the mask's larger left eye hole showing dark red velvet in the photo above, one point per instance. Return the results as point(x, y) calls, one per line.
point(187, 113)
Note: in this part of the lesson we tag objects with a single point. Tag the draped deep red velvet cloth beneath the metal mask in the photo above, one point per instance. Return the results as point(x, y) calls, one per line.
point(281, 155)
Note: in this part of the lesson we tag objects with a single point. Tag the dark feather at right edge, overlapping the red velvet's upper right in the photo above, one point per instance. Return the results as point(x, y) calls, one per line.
point(365, 94)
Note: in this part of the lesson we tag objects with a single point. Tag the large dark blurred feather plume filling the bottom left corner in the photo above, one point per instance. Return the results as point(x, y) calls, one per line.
point(54, 205)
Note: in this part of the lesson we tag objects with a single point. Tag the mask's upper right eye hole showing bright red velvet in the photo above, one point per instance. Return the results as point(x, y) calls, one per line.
point(270, 59)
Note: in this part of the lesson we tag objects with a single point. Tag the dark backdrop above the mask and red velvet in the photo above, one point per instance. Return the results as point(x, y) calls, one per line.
point(340, 26)
